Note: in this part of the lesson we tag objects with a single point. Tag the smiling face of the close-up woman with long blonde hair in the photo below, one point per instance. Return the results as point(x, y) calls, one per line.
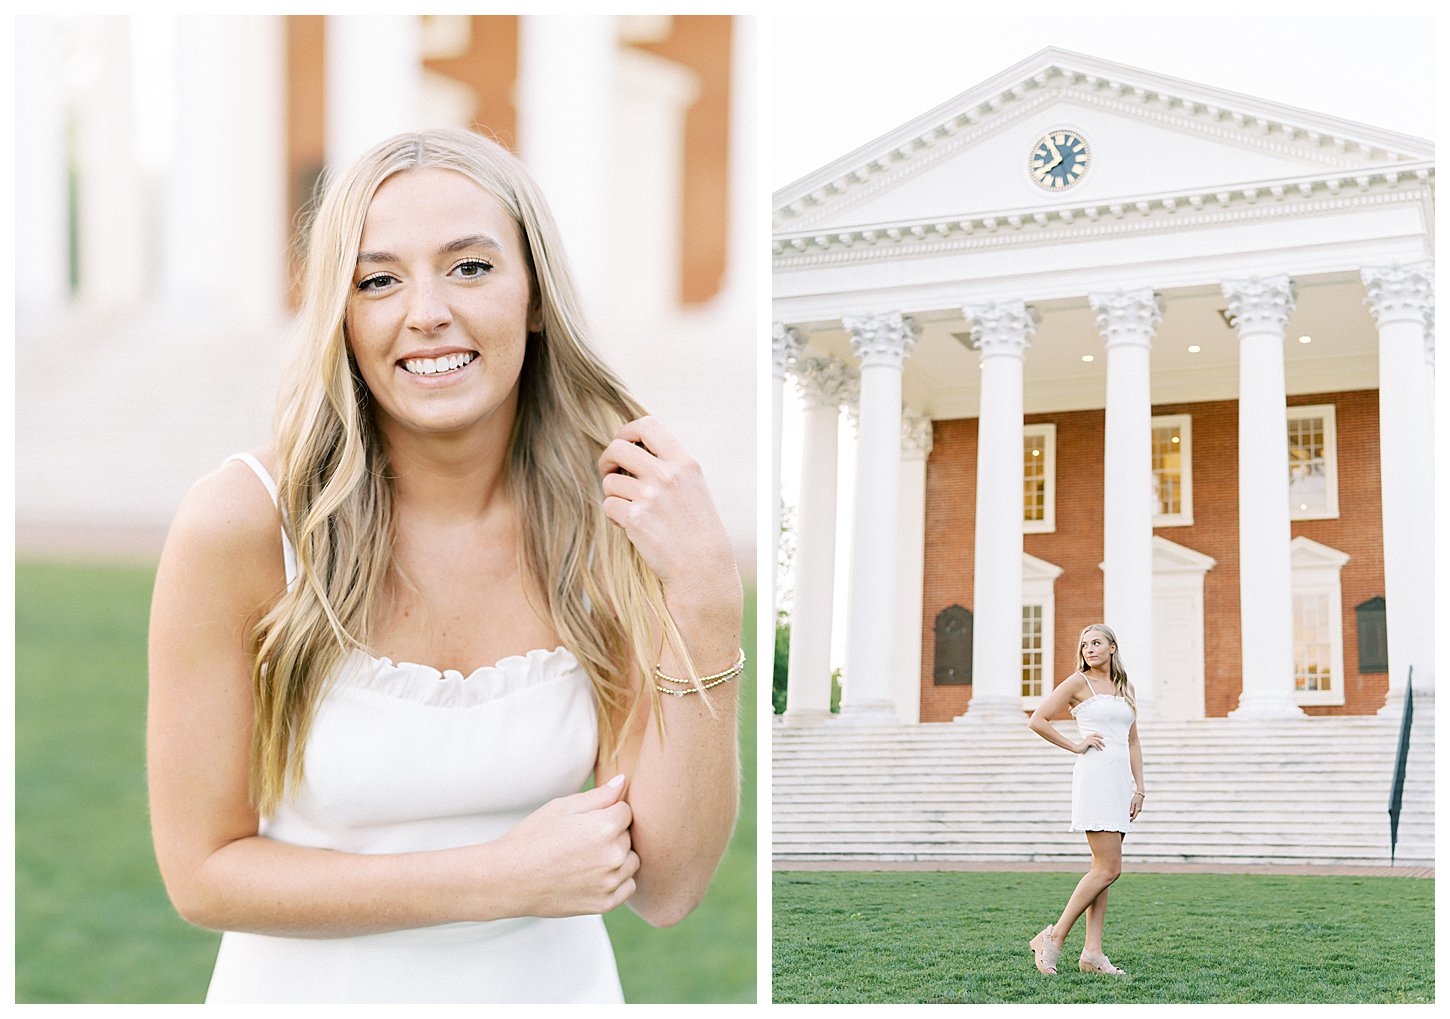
point(442, 305)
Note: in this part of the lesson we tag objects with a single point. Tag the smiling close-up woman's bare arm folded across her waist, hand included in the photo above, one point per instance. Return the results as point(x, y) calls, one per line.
point(223, 565)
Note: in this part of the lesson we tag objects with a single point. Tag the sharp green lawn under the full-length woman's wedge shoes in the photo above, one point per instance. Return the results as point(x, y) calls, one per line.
point(964, 937)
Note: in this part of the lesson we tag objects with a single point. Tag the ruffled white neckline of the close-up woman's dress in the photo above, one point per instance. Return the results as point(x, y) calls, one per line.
point(450, 688)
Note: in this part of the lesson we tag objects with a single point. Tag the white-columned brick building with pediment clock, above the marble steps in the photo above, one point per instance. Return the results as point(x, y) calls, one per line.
point(1101, 344)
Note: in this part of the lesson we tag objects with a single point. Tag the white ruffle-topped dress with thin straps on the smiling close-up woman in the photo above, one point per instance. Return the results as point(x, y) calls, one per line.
point(405, 759)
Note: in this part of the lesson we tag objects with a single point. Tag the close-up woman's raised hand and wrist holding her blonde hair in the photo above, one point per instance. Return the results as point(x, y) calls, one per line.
point(658, 494)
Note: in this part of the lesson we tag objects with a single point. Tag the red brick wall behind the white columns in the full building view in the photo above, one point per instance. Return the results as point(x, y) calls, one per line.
point(1077, 546)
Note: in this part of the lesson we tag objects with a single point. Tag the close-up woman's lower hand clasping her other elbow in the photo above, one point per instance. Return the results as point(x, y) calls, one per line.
point(572, 857)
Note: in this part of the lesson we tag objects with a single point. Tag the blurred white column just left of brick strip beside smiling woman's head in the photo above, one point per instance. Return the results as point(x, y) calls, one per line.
point(228, 179)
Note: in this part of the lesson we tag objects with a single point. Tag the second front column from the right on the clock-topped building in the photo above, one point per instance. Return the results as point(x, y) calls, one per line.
point(1261, 311)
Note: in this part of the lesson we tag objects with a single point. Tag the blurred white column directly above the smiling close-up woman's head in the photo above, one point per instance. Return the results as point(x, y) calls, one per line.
point(375, 76)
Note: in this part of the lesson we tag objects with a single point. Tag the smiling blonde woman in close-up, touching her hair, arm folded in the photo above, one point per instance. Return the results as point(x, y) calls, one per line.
point(389, 652)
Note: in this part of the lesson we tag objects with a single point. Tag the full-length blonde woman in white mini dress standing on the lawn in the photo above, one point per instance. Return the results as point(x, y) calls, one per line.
point(1107, 786)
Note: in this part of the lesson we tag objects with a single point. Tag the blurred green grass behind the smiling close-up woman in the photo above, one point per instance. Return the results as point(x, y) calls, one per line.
point(94, 923)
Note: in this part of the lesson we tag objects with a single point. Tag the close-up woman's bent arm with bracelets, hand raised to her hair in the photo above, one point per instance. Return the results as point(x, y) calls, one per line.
point(685, 792)
